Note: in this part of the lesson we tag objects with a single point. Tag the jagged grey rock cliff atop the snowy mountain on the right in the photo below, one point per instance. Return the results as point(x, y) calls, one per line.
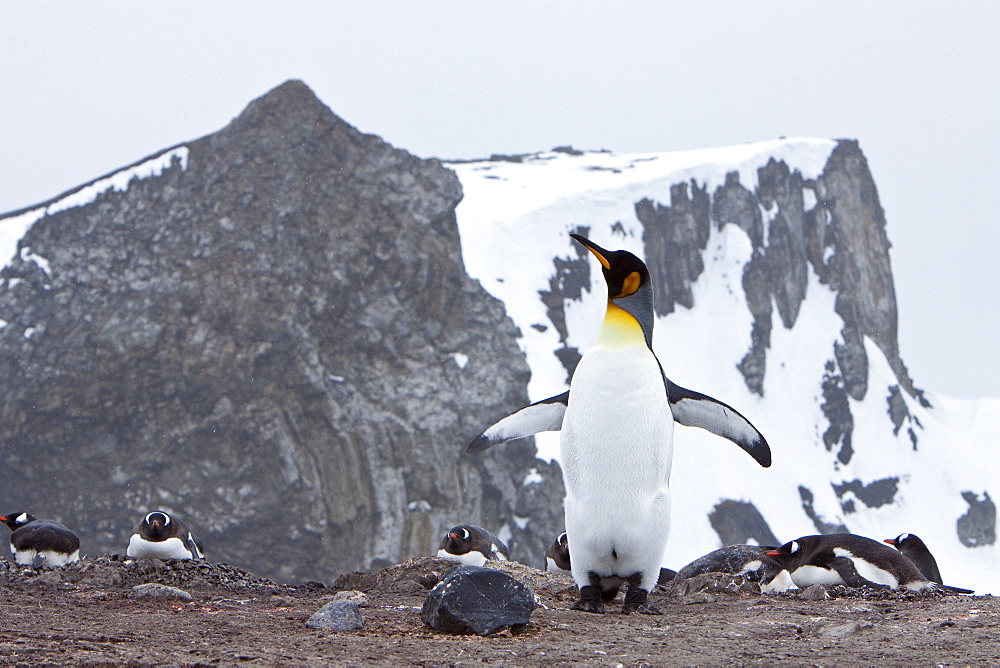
point(841, 237)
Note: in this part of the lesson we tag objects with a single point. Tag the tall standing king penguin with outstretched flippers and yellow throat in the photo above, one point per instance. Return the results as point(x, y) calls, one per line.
point(616, 444)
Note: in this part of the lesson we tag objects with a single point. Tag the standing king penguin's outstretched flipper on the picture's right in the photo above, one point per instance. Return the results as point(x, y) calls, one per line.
point(693, 409)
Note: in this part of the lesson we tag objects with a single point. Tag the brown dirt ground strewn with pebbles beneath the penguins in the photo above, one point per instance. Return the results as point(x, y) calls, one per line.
point(82, 614)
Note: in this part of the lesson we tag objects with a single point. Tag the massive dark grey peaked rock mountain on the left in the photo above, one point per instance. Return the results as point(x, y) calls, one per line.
point(278, 341)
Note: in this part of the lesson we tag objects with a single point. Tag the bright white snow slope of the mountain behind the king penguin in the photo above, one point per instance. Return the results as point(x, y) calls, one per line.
point(926, 472)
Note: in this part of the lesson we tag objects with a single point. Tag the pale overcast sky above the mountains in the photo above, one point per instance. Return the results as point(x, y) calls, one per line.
point(87, 87)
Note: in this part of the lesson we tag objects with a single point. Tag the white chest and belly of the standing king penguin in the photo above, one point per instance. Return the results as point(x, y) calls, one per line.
point(616, 449)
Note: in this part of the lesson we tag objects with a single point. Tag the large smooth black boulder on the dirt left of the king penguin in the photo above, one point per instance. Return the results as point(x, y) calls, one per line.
point(471, 599)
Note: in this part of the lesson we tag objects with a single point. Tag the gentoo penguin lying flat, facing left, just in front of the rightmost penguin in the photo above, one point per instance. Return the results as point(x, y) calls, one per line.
point(845, 558)
